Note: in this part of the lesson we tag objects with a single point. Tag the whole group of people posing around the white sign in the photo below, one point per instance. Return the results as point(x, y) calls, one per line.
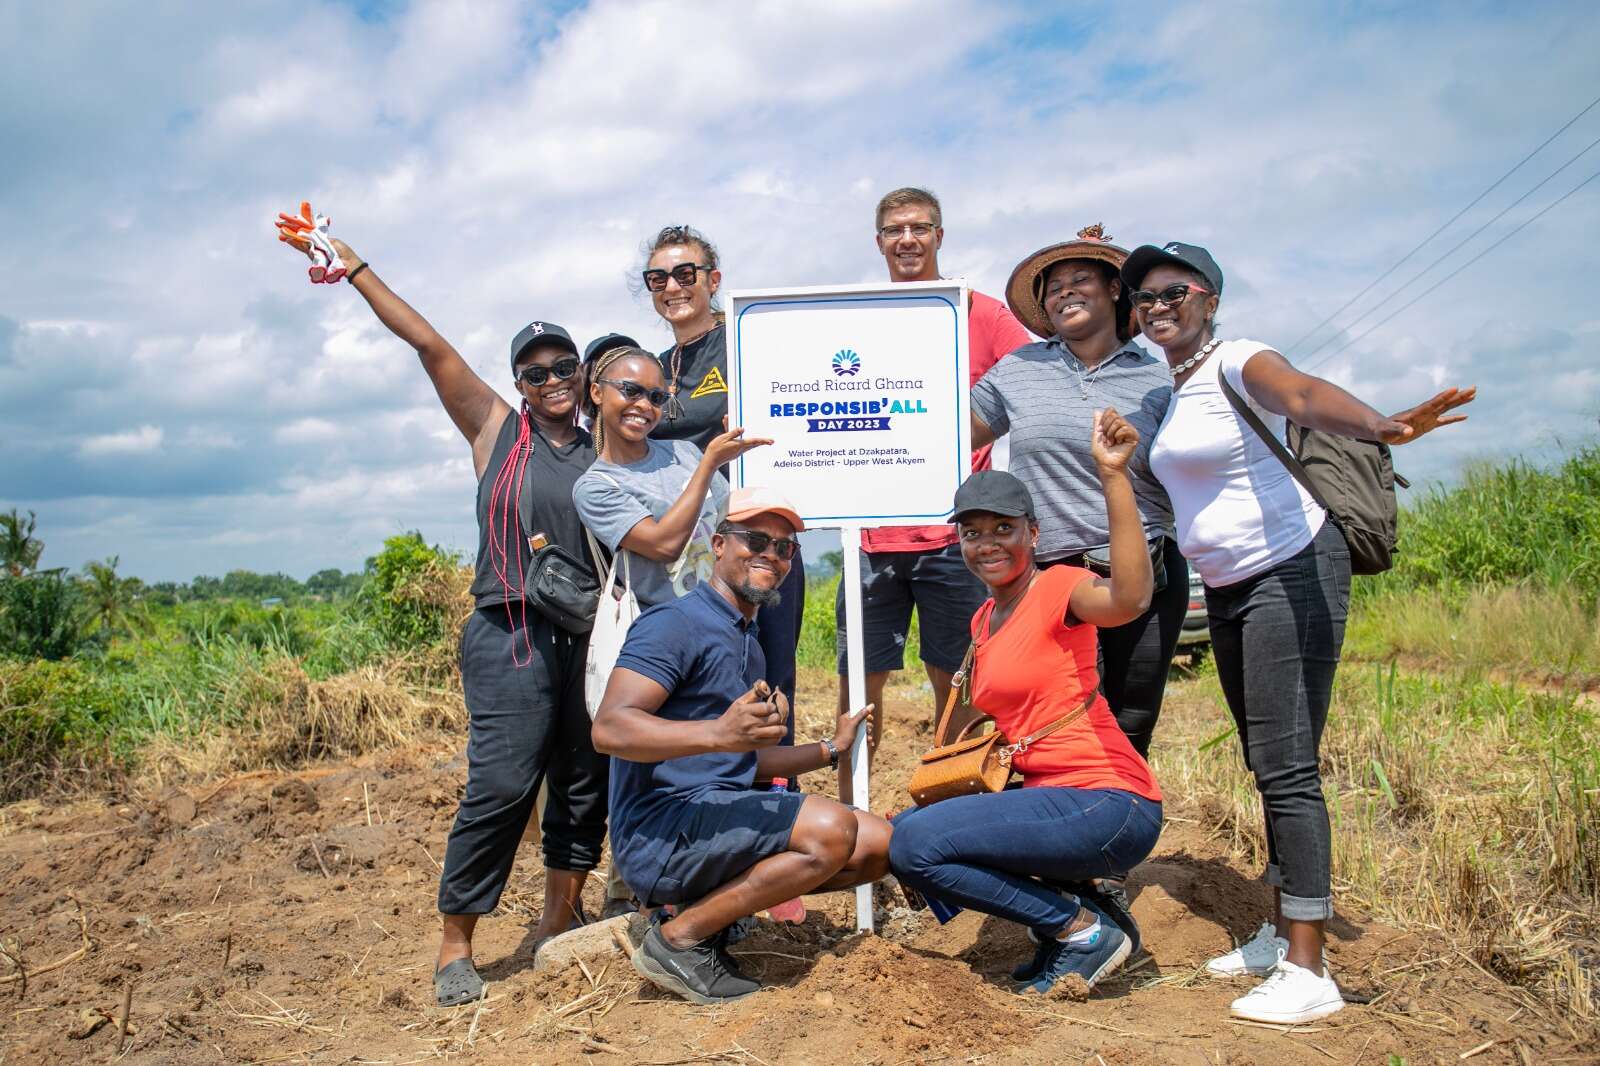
point(1057, 595)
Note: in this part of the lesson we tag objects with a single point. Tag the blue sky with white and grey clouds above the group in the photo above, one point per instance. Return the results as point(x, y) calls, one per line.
point(174, 391)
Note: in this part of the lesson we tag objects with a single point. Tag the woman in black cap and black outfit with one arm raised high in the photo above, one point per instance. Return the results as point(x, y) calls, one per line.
point(522, 675)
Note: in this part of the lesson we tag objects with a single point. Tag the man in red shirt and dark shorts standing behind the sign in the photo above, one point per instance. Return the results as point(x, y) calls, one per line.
point(921, 566)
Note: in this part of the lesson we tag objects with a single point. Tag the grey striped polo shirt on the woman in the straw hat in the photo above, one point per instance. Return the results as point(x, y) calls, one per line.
point(1036, 396)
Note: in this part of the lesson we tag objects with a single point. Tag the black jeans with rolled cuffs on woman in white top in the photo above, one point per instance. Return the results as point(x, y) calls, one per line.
point(1278, 639)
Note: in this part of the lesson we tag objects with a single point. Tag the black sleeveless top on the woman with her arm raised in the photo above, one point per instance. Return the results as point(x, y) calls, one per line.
point(546, 495)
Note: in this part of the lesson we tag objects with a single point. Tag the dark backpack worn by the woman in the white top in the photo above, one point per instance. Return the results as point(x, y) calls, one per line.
point(1354, 481)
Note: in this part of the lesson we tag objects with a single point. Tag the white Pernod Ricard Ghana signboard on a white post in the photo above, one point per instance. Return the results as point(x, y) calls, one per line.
point(865, 391)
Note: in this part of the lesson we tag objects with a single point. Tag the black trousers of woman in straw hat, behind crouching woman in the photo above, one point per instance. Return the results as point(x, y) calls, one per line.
point(1135, 659)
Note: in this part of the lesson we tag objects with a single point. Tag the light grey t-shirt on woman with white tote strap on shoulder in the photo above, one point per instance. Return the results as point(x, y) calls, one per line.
point(612, 499)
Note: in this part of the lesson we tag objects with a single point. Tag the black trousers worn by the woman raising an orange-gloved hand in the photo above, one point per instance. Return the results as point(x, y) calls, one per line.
point(524, 723)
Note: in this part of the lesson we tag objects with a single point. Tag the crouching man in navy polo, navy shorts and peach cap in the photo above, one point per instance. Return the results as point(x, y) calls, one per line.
point(692, 724)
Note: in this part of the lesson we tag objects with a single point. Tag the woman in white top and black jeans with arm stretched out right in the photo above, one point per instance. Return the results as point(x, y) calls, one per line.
point(1278, 577)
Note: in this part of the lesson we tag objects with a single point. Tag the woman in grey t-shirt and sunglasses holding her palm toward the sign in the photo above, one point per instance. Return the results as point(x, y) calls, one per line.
point(655, 500)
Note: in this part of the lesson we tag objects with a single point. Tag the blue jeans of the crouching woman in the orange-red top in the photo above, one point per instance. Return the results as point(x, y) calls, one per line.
point(986, 852)
